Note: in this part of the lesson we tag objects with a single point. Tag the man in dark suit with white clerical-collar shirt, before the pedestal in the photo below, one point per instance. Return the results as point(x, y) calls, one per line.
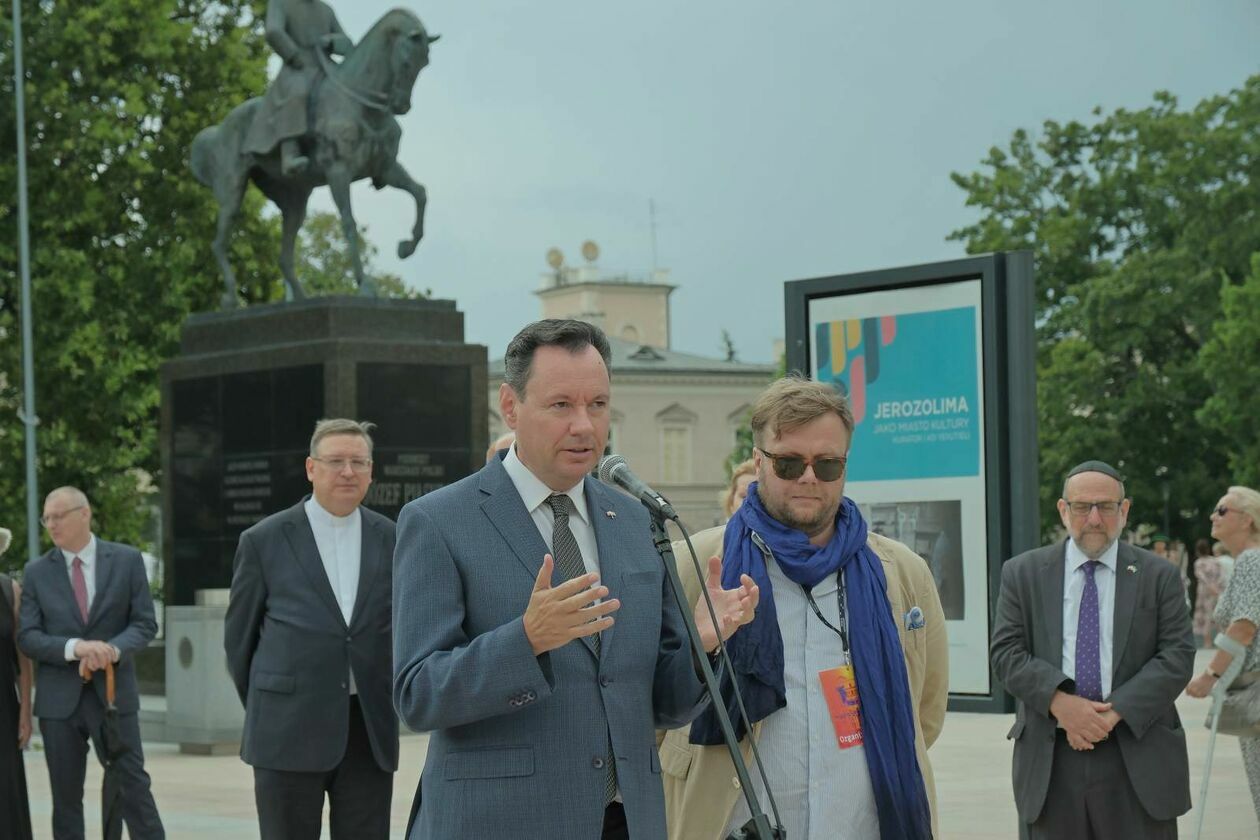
point(308, 640)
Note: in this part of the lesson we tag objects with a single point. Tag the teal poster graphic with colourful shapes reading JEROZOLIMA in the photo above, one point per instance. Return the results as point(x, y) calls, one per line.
point(913, 383)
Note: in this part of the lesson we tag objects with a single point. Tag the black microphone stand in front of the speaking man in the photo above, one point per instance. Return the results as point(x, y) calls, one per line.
point(759, 827)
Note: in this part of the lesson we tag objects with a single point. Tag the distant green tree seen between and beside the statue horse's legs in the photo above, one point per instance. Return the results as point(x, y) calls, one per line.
point(324, 261)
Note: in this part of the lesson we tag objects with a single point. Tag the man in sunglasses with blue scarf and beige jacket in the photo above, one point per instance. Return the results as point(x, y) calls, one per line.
point(846, 615)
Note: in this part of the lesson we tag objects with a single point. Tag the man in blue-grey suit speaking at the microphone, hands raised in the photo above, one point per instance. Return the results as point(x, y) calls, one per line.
point(544, 711)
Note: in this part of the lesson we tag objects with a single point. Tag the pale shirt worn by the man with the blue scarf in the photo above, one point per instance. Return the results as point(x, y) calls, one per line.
point(823, 793)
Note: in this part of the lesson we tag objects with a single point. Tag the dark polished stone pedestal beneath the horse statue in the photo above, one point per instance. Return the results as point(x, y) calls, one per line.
point(244, 396)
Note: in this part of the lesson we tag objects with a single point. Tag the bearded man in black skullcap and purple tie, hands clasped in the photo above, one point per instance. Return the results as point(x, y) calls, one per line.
point(1093, 639)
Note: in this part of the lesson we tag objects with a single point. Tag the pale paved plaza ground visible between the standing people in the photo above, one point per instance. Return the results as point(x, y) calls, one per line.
point(212, 798)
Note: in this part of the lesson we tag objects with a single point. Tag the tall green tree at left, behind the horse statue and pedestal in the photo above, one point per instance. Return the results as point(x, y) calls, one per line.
point(120, 232)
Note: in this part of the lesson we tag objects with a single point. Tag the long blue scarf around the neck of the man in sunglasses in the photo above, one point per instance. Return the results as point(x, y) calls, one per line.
point(880, 667)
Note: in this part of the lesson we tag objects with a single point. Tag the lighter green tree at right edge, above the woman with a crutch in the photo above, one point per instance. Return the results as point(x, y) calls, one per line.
point(1230, 362)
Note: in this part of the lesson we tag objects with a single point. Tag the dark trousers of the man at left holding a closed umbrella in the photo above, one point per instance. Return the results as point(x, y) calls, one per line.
point(66, 754)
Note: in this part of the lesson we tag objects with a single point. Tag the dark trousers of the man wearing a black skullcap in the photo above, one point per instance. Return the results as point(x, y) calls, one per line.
point(1092, 798)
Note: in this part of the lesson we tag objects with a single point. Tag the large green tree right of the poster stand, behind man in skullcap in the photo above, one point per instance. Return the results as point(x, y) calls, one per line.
point(1135, 220)
